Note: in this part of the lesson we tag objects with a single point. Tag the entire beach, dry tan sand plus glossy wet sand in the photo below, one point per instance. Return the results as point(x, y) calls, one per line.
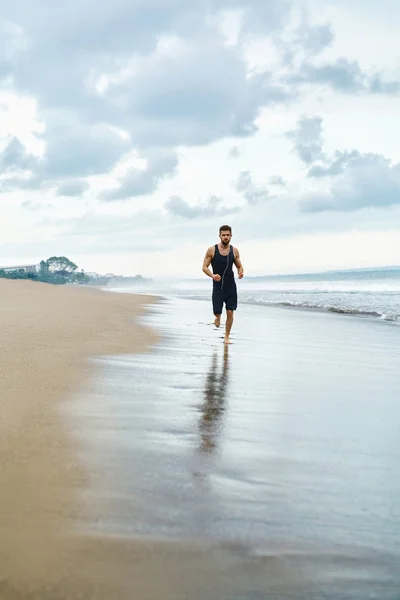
point(146, 460)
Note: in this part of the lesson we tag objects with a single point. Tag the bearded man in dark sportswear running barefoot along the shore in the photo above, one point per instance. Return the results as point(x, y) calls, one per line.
point(222, 257)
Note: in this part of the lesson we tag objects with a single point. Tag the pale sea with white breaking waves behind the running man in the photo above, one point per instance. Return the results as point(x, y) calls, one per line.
point(371, 293)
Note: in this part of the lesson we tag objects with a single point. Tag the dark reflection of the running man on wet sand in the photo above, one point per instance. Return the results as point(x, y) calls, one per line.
point(214, 403)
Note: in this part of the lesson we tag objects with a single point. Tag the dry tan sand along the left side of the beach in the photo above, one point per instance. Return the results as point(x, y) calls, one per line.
point(49, 335)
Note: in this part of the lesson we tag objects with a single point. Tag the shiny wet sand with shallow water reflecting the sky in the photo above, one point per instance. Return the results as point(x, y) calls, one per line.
point(282, 447)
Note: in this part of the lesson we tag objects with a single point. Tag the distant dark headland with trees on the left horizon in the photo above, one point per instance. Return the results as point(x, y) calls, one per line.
point(60, 270)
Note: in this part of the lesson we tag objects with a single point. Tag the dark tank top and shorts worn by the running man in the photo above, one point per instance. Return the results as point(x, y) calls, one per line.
point(224, 291)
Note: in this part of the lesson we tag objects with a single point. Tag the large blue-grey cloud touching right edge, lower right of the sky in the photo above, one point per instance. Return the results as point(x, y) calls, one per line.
point(367, 180)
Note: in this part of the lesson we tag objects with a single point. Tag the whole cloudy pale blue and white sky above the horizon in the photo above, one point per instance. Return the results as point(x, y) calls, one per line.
point(131, 130)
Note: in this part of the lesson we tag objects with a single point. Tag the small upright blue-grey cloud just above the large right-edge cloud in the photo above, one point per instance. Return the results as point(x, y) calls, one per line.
point(307, 139)
